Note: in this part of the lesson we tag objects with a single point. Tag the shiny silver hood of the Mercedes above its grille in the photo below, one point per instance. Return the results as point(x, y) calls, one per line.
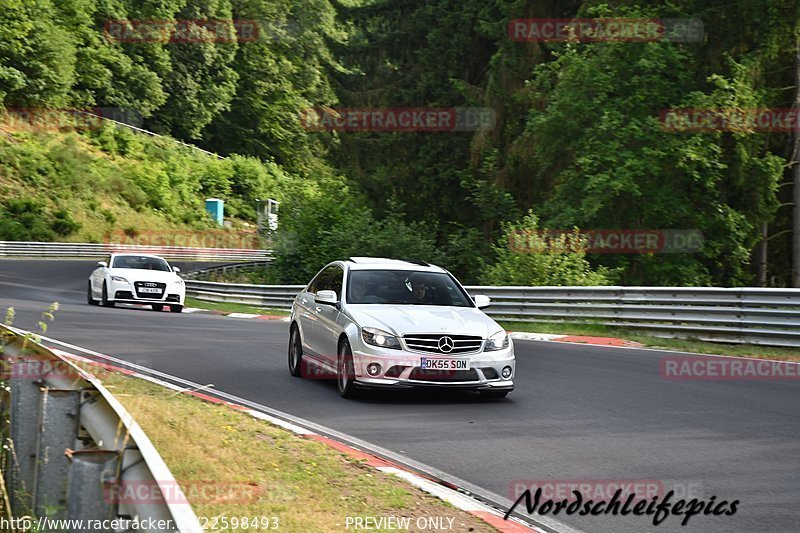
point(405, 319)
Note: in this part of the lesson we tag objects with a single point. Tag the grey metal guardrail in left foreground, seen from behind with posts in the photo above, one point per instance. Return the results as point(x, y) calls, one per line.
point(70, 443)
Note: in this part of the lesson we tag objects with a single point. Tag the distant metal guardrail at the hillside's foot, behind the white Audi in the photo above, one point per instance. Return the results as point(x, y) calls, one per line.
point(91, 250)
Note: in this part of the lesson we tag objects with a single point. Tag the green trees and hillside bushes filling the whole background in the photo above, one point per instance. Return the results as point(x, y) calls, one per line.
point(578, 136)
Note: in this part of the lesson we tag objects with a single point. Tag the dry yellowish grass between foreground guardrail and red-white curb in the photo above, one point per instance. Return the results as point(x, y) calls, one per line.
point(305, 484)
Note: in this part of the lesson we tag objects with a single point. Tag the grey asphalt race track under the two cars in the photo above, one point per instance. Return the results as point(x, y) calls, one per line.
point(578, 413)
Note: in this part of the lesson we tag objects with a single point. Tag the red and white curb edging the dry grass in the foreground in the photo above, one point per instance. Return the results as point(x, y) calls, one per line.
point(432, 486)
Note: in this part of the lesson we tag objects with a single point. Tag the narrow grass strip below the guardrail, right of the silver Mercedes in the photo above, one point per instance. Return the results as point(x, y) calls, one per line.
point(686, 345)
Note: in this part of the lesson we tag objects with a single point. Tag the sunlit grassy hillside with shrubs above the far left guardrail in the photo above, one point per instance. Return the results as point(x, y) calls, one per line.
point(84, 186)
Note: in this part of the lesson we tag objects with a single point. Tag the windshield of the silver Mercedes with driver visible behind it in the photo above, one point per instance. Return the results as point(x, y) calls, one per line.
point(404, 287)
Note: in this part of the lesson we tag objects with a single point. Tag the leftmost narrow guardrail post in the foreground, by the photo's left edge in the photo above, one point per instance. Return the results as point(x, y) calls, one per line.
point(24, 418)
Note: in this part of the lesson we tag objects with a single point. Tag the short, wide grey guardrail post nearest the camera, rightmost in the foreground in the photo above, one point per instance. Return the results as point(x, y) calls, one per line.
point(90, 484)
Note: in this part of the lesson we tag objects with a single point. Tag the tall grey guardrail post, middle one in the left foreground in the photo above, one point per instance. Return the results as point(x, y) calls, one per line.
point(58, 430)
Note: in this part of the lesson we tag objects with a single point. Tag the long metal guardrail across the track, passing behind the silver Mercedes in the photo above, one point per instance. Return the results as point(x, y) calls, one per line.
point(768, 317)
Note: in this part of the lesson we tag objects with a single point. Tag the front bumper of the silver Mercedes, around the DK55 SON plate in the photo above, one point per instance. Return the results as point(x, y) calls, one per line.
point(400, 369)
